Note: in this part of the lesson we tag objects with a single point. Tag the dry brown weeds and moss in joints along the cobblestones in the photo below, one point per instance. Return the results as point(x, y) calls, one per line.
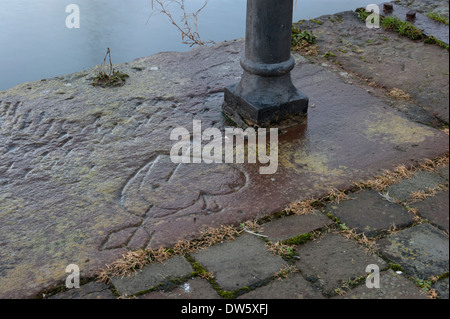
point(131, 262)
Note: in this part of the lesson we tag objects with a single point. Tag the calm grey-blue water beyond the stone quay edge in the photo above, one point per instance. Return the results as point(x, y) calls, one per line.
point(35, 42)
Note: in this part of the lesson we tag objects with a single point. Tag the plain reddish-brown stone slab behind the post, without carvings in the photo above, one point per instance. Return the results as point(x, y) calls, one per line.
point(388, 60)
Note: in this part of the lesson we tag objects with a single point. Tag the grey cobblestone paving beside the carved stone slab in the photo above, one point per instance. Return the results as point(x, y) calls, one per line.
point(412, 258)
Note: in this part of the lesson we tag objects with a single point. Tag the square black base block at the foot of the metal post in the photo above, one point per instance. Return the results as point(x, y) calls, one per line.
point(248, 113)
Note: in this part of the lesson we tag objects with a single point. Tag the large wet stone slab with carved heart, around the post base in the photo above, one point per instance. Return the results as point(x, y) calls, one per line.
point(85, 175)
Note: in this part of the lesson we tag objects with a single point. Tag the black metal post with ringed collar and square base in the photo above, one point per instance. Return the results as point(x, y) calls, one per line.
point(266, 95)
